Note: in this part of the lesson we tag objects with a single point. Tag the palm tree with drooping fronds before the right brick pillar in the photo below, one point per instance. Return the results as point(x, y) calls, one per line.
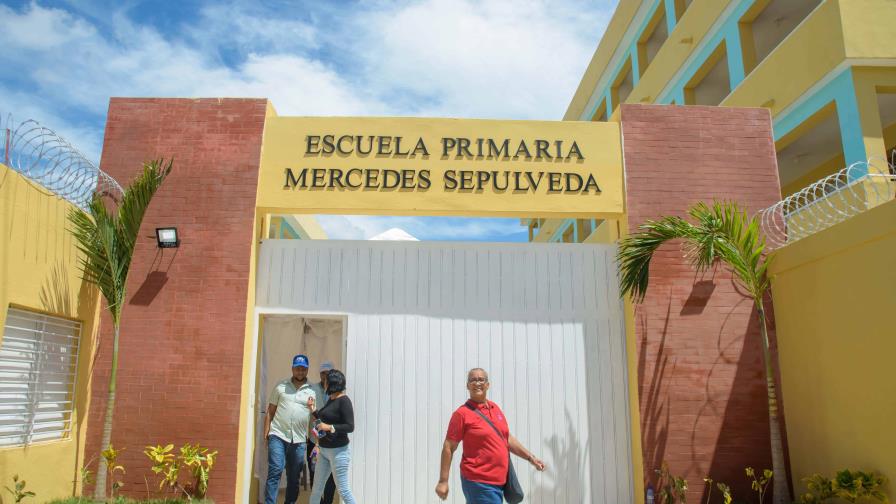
point(722, 233)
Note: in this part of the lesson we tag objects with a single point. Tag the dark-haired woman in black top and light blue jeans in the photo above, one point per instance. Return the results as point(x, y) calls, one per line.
point(336, 420)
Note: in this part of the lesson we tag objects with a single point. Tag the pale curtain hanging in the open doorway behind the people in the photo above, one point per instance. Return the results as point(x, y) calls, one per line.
point(284, 336)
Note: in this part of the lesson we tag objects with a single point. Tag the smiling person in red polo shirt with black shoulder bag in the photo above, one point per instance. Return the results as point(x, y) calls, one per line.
point(485, 459)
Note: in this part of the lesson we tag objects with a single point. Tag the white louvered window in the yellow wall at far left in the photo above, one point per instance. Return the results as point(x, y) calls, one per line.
point(38, 365)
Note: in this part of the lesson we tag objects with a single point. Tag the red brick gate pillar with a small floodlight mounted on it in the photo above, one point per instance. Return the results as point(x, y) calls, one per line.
point(183, 326)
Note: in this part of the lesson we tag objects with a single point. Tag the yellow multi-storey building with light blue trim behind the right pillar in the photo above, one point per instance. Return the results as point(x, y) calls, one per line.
point(825, 69)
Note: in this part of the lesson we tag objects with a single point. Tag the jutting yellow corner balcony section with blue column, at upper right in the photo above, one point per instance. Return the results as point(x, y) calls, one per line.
point(830, 88)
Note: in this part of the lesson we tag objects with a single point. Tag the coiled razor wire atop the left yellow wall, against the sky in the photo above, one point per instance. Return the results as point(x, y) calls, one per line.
point(47, 159)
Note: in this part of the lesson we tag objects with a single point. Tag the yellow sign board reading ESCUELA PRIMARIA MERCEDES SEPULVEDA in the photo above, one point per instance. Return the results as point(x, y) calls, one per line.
point(422, 166)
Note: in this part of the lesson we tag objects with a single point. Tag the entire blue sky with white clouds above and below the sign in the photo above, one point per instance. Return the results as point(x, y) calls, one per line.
point(506, 59)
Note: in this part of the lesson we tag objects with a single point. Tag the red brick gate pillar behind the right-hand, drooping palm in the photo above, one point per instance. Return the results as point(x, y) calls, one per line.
point(700, 375)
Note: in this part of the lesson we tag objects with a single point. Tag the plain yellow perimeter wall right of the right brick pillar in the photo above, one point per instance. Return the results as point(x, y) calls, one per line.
point(835, 299)
